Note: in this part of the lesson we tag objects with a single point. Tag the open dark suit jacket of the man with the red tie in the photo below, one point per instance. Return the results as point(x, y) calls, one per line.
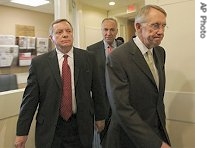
point(44, 89)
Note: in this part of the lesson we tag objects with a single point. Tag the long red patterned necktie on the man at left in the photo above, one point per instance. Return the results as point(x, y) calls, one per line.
point(66, 101)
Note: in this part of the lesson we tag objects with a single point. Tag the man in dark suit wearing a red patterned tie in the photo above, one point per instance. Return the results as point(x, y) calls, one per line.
point(44, 91)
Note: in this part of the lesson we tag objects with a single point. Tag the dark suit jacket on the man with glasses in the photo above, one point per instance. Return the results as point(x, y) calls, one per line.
point(138, 109)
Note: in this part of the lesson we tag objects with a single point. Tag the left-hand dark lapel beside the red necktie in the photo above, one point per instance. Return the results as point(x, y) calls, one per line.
point(53, 64)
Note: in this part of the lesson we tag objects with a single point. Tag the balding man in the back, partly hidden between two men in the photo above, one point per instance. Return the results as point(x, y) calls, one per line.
point(101, 49)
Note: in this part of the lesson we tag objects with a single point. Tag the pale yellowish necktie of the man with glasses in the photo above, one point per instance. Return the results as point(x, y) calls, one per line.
point(151, 64)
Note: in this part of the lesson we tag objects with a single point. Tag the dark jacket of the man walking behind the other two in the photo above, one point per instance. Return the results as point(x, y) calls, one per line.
point(99, 51)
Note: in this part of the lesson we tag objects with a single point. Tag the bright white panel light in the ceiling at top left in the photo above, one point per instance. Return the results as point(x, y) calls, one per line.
point(33, 3)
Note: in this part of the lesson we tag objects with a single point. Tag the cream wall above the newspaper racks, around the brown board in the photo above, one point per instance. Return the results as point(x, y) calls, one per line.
point(11, 16)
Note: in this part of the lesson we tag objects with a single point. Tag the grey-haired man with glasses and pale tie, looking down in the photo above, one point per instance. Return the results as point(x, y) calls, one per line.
point(135, 91)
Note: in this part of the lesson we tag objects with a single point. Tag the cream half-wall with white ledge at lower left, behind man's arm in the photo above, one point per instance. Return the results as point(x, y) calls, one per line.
point(9, 109)
